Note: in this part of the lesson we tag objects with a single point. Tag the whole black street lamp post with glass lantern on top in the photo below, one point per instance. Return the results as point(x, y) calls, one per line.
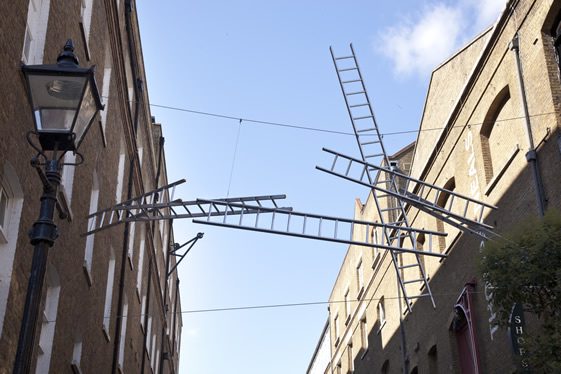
point(64, 101)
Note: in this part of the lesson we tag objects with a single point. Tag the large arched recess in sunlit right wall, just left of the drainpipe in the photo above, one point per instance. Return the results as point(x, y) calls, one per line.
point(494, 134)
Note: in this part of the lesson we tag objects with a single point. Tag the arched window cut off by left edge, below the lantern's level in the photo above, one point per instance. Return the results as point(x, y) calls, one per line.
point(11, 202)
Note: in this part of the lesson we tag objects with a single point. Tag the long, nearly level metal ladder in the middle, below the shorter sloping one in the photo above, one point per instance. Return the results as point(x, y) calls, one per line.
point(314, 226)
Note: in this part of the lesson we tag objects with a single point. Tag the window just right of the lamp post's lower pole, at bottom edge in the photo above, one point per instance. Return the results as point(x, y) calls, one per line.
point(49, 322)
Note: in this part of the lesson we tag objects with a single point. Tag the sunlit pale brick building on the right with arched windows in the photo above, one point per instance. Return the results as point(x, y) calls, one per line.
point(480, 144)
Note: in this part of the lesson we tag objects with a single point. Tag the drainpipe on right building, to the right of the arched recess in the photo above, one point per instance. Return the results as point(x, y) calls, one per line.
point(531, 156)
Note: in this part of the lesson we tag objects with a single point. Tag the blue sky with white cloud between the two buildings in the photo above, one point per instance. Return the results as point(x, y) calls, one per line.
point(270, 61)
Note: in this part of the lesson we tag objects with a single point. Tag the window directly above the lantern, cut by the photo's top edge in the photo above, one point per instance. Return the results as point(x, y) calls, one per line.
point(35, 31)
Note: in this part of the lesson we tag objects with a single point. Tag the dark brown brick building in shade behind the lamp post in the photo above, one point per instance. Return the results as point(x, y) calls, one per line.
point(106, 306)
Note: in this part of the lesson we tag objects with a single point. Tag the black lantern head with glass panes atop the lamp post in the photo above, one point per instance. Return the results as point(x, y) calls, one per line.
point(64, 100)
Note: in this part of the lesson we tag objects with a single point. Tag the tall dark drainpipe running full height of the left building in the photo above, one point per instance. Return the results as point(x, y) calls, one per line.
point(138, 96)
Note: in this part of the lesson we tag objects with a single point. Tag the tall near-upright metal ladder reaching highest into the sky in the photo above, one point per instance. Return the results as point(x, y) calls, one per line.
point(372, 151)
